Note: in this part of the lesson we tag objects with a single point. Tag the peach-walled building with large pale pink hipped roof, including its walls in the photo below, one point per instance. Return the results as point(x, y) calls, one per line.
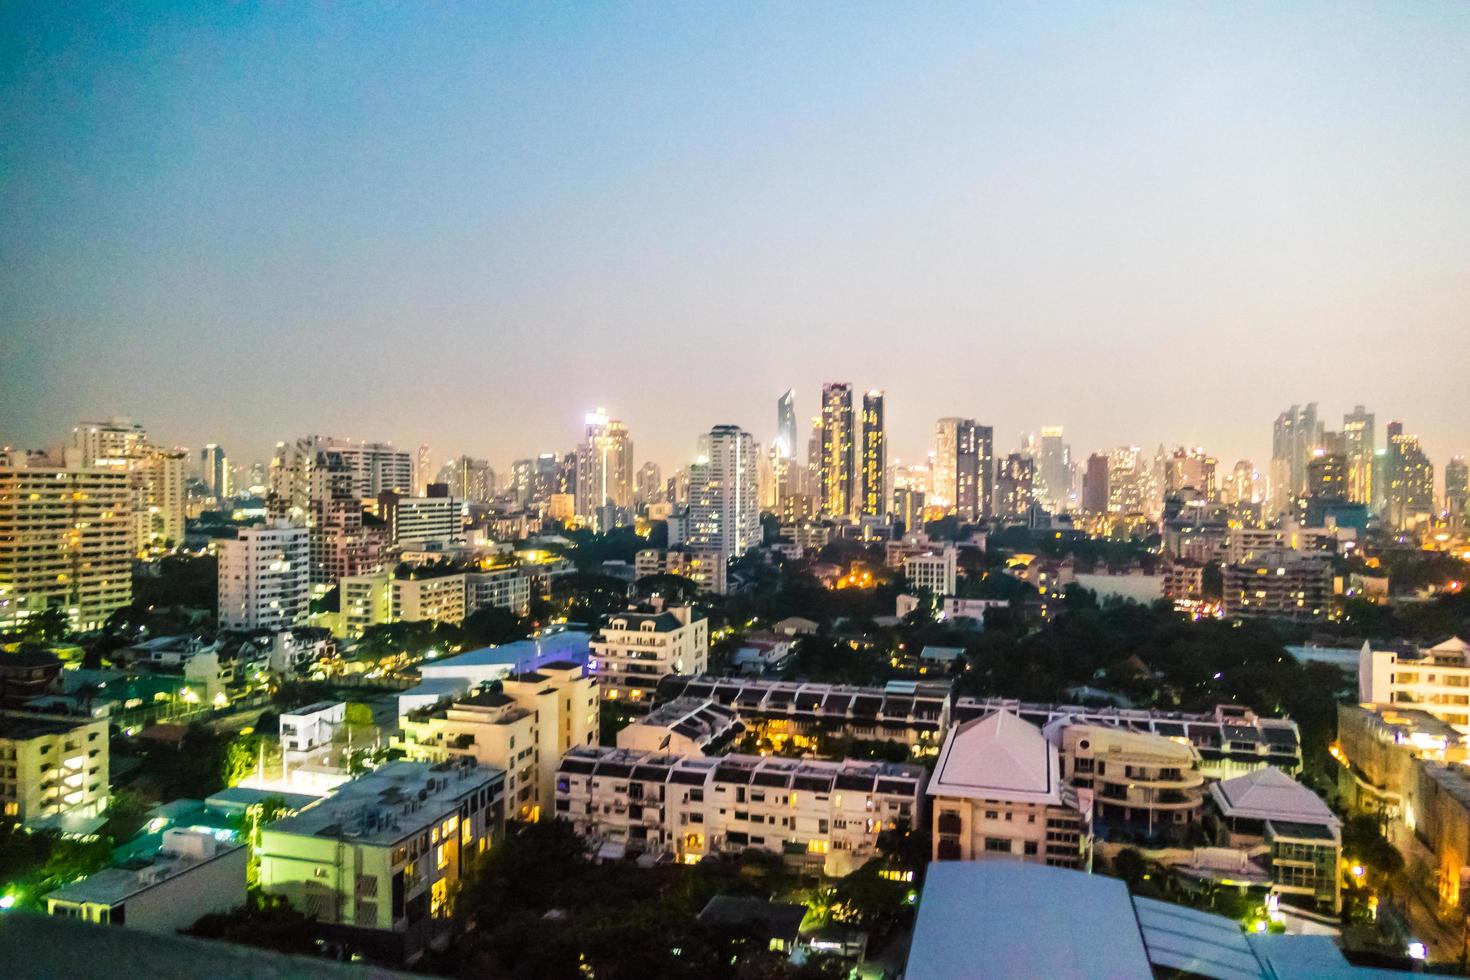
point(997, 793)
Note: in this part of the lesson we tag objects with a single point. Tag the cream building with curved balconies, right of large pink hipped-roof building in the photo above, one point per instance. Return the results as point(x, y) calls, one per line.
point(1141, 784)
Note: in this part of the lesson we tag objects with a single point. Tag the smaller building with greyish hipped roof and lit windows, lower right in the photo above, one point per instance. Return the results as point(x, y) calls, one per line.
point(1303, 838)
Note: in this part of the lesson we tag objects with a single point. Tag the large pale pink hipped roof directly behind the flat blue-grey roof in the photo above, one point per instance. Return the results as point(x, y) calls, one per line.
point(999, 757)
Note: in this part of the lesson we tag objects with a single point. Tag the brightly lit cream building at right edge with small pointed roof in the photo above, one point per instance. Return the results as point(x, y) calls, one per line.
point(1434, 680)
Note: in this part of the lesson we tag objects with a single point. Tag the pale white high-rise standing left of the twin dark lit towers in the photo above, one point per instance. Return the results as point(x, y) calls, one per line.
point(724, 514)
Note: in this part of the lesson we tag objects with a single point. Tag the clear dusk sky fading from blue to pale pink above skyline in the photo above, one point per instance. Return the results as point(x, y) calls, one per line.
point(468, 226)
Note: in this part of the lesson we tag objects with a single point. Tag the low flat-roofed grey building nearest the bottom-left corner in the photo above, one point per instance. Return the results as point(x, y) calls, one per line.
point(196, 873)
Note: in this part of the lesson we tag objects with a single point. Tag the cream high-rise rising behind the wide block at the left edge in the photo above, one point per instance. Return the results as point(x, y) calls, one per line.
point(155, 475)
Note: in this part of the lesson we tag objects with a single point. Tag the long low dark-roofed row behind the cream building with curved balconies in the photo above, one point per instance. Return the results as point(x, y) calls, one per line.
point(1230, 741)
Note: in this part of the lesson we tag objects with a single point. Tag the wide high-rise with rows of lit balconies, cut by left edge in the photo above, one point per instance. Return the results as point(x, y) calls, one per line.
point(67, 540)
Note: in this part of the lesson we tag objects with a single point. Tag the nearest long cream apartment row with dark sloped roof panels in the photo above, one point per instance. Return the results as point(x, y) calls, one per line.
point(822, 816)
